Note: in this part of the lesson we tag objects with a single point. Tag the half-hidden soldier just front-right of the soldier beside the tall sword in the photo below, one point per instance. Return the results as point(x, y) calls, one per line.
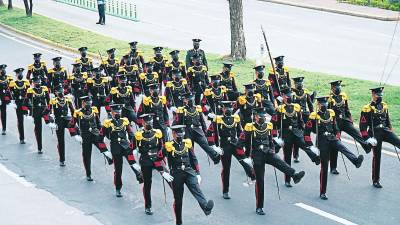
point(305, 99)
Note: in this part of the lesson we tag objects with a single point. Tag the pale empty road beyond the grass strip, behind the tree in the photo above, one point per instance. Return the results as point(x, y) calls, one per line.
point(310, 40)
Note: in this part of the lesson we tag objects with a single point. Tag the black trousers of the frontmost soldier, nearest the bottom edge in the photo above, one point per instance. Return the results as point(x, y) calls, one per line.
point(180, 179)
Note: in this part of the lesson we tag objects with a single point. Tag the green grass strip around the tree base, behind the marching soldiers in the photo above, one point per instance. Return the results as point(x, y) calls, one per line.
point(58, 32)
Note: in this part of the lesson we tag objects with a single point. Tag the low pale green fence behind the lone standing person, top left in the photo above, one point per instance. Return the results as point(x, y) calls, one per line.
point(116, 8)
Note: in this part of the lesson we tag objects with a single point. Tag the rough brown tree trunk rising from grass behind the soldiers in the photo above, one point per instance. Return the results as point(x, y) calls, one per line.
point(238, 44)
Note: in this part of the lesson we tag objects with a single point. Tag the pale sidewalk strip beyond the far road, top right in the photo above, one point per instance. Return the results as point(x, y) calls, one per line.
point(342, 8)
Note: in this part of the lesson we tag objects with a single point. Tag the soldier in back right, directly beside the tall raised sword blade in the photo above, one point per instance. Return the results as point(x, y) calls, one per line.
point(281, 79)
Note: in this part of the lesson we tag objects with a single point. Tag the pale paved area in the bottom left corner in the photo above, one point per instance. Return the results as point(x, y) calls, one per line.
point(23, 204)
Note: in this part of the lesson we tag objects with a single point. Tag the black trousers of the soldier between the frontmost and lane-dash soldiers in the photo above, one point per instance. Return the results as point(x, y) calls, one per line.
point(226, 160)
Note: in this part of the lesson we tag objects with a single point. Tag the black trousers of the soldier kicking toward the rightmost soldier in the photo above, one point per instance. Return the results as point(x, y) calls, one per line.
point(348, 128)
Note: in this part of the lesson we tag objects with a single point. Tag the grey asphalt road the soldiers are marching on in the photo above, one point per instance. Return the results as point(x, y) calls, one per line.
point(356, 200)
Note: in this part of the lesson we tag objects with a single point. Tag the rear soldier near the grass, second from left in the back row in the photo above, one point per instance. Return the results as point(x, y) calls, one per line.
point(57, 75)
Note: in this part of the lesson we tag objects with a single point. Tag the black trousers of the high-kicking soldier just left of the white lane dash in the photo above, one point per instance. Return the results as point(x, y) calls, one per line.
point(260, 159)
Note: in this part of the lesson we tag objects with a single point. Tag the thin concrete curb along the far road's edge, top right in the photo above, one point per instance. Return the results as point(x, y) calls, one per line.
point(356, 14)
